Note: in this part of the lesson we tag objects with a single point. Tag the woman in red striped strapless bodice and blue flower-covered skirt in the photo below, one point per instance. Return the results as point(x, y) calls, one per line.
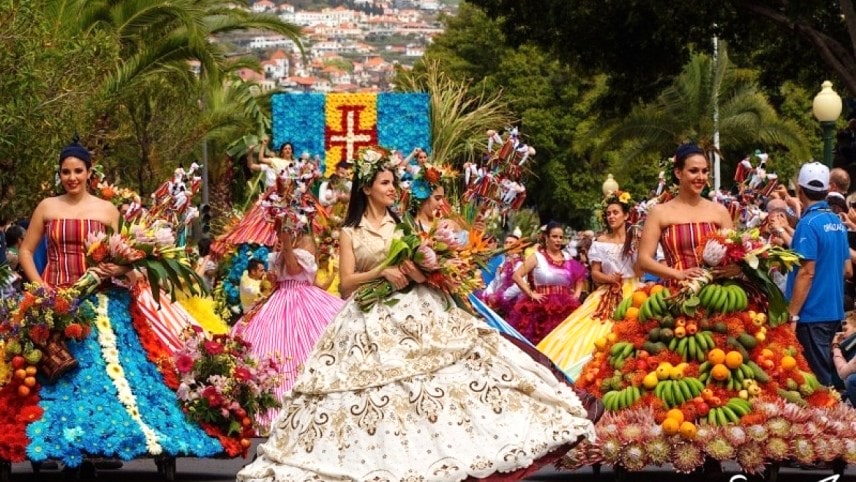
point(114, 403)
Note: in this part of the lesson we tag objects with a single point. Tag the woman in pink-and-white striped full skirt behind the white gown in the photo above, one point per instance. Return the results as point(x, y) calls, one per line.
point(292, 319)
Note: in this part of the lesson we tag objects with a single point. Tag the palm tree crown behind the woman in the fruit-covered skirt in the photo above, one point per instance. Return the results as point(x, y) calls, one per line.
point(685, 111)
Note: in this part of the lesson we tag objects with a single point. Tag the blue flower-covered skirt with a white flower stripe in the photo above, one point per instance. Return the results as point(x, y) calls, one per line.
point(115, 403)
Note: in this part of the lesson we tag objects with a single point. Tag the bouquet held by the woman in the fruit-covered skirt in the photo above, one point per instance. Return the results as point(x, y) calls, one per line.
point(755, 257)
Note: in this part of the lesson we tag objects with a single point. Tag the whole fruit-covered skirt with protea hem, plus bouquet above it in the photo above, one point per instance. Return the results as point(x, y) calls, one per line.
point(710, 370)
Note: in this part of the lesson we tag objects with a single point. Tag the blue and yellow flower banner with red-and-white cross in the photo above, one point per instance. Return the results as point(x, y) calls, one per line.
point(336, 126)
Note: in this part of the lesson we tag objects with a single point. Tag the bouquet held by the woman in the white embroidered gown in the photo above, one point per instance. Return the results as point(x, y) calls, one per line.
point(447, 255)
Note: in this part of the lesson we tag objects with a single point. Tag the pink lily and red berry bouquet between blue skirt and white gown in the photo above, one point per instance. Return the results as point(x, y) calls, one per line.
point(223, 387)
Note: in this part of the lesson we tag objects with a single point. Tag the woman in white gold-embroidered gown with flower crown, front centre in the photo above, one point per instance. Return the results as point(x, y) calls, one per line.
point(417, 390)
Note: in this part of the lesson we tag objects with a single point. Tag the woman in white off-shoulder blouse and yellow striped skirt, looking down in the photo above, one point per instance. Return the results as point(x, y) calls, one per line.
point(613, 260)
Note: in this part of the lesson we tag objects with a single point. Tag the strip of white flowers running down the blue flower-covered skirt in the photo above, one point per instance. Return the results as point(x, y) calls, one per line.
point(110, 352)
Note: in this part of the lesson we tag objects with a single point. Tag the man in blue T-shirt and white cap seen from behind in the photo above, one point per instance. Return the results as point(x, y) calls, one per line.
point(816, 288)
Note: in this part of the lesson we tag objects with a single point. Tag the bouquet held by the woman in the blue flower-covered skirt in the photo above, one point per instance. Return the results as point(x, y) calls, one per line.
point(142, 244)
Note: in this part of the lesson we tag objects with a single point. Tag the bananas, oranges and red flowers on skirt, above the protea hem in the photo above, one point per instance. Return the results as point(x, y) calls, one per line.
point(706, 356)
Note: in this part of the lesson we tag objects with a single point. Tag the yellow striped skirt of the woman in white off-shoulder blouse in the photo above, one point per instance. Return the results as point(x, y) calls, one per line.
point(571, 344)
